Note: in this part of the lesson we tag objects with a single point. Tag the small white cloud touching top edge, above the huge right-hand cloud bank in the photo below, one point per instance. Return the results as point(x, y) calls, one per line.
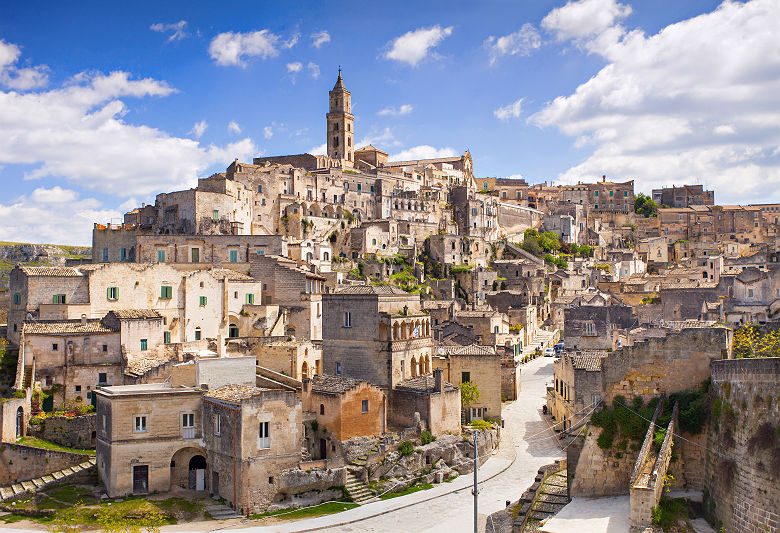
point(584, 18)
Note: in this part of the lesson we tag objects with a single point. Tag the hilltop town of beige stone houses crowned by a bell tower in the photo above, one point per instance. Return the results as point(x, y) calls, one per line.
point(303, 329)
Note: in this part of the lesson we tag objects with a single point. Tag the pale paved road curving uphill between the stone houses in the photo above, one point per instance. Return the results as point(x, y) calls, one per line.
point(525, 446)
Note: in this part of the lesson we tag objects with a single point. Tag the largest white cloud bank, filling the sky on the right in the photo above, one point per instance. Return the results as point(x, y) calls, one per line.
point(655, 112)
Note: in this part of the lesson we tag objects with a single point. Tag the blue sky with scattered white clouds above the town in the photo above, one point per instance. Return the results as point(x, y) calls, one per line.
point(103, 105)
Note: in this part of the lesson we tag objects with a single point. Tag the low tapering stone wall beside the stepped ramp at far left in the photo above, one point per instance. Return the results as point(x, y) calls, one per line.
point(22, 463)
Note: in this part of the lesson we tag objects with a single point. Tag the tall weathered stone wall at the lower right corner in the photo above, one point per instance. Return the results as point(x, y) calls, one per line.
point(742, 470)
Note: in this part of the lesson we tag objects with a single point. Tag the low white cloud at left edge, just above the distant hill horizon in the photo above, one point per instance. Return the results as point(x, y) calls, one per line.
point(54, 215)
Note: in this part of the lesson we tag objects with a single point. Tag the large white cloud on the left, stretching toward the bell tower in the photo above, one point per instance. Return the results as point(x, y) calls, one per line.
point(76, 132)
